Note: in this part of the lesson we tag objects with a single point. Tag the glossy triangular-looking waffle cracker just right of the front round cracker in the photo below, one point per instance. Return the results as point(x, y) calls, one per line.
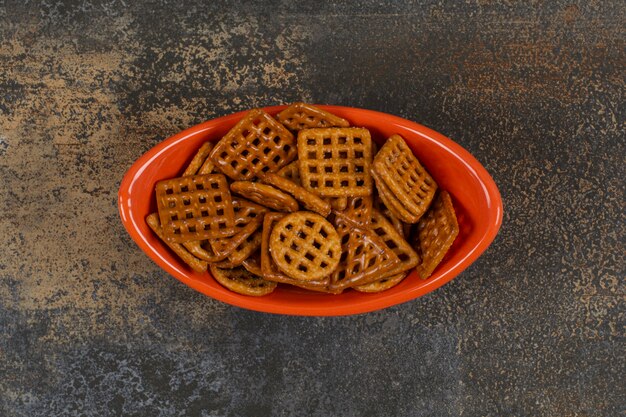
point(364, 256)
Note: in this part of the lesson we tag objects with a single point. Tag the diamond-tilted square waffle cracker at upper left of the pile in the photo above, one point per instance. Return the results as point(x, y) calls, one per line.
point(256, 145)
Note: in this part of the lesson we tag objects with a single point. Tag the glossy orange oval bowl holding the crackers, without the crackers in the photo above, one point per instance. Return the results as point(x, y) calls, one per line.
point(475, 196)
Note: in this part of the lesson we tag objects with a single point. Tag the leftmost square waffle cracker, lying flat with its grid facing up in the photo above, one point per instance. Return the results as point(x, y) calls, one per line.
point(195, 208)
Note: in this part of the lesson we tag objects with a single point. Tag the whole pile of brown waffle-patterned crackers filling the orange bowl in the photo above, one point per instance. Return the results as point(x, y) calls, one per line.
point(307, 200)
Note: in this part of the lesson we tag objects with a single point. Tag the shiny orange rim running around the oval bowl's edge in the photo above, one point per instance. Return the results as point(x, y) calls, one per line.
point(362, 304)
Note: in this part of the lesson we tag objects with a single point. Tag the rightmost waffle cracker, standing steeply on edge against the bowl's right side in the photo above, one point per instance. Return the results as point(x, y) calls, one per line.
point(436, 232)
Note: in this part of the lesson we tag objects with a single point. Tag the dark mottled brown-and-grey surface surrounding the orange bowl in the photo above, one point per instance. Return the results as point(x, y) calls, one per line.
point(534, 89)
